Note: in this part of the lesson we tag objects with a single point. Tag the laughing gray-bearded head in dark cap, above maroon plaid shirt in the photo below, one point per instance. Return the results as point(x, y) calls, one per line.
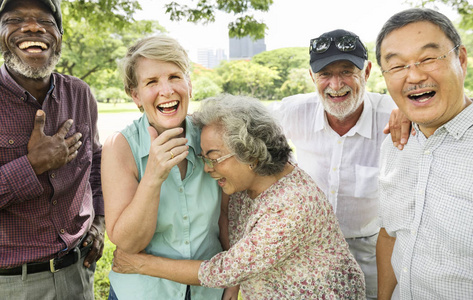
point(30, 39)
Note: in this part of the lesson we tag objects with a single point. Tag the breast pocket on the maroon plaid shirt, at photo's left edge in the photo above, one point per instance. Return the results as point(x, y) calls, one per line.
point(12, 146)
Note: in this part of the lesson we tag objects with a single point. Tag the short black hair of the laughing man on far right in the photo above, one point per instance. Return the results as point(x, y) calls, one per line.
point(414, 15)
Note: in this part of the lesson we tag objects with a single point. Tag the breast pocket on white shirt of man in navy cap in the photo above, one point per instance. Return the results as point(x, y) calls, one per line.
point(366, 181)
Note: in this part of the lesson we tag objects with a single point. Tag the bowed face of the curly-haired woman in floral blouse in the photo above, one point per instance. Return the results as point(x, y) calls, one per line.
point(232, 175)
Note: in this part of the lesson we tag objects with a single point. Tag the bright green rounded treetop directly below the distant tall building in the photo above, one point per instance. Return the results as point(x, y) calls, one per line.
point(247, 78)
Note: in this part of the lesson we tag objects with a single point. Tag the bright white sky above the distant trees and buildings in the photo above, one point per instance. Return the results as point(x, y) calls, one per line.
point(291, 23)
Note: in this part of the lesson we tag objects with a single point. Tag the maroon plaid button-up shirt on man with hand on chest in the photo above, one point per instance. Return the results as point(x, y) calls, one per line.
point(42, 216)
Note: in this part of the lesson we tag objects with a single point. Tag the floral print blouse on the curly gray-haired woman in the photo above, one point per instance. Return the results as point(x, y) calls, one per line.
point(285, 244)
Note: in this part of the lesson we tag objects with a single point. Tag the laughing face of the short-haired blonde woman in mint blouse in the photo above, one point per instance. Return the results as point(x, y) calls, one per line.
point(164, 92)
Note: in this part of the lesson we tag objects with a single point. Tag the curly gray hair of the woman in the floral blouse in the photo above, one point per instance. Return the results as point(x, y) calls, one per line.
point(248, 129)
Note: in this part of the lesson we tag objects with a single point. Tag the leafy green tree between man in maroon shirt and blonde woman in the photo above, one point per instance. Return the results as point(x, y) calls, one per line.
point(91, 46)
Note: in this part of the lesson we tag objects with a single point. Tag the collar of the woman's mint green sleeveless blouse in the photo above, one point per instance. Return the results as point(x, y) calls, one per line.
point(192, 135)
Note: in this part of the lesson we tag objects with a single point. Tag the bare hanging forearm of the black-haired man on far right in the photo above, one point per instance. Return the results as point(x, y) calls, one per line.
point(386, 277)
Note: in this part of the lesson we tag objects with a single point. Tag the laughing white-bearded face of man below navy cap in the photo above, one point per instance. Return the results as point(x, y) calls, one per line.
point(341, 87)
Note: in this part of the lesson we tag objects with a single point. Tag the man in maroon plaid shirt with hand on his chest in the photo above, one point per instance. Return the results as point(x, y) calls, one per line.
point(51, 206)
